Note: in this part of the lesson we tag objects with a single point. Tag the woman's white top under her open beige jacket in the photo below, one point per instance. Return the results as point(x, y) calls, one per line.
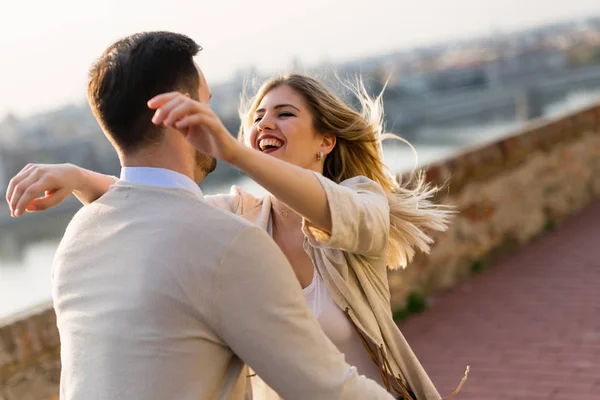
point(339, 329)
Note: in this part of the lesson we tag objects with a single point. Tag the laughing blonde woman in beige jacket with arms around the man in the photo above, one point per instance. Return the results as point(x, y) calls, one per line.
point(332, 209)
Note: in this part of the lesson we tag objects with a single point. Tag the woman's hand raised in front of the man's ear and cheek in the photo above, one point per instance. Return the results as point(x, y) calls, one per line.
point(198, 123)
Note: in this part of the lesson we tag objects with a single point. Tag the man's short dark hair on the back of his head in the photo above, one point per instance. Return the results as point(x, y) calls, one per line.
point(131, 72)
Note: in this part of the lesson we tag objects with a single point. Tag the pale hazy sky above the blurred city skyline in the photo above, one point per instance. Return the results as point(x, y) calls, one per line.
point(47, 47)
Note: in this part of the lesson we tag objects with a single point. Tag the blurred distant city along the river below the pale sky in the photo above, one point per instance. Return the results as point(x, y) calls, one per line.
point(442, 84)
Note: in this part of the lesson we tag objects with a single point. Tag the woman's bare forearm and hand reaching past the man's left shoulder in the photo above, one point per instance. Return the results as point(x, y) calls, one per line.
point(54, 182)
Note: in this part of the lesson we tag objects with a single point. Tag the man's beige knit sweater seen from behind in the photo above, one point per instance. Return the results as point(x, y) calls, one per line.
point(159, 295)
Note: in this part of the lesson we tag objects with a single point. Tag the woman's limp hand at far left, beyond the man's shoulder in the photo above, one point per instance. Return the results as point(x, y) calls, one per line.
point(54, 181)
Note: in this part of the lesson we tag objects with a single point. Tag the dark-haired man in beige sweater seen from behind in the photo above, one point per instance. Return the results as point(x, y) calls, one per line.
point(159, 295)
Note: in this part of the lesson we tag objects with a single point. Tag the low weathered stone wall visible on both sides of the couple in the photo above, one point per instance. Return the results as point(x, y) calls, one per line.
point(507, 193)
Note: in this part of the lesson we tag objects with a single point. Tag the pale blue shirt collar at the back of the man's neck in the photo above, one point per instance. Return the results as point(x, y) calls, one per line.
point(160, 177)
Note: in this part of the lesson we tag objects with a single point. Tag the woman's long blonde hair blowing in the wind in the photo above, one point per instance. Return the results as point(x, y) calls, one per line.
point(358, 152)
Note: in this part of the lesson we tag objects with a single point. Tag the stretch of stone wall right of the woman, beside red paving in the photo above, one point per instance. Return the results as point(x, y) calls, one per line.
point(507, 193)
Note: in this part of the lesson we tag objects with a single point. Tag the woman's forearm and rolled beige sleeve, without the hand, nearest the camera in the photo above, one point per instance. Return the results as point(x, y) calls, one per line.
point(353, 216)
